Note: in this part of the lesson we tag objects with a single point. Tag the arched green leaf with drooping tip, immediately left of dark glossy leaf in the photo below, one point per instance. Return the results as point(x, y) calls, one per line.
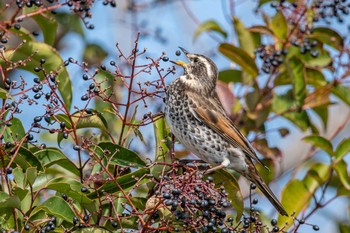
point(53, 156)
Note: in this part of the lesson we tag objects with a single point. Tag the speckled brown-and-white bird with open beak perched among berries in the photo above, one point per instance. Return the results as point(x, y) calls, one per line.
point(197, 119)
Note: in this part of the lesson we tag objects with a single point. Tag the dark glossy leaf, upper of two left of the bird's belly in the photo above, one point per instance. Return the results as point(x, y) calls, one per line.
point(119, 155)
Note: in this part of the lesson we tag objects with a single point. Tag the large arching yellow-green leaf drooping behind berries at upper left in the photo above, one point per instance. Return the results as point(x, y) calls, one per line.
point(39, 50)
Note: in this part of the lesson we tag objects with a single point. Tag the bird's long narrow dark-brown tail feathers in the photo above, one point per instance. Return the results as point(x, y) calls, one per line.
point(256, 179)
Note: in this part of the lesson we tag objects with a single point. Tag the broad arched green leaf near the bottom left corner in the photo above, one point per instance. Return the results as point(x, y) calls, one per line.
point(58, 207)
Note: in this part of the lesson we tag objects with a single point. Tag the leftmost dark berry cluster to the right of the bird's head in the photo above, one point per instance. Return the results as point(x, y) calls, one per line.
point(271, 58)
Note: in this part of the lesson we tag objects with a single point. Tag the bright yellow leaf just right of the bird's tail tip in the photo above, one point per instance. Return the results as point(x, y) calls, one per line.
point(295, 197)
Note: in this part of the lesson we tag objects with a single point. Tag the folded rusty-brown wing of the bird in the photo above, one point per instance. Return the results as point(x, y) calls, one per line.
point(213, 115)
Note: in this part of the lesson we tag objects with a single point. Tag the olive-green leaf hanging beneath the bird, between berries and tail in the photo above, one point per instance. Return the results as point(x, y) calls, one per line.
point(223, 177)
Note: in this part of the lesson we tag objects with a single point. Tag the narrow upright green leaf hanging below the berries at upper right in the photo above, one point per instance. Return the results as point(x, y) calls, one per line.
point(295, 71)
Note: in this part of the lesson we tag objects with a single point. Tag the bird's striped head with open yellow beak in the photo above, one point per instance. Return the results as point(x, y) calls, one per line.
point(200, 71)
